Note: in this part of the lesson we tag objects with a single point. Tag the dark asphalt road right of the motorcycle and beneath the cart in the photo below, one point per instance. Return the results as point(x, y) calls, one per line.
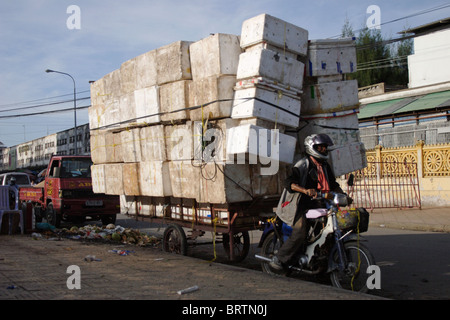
point(413, 264)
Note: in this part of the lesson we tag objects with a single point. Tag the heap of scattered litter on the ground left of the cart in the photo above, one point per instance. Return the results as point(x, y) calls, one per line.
point(111, 233)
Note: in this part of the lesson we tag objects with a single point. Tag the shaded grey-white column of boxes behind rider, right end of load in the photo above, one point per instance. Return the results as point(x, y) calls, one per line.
point(330, 104)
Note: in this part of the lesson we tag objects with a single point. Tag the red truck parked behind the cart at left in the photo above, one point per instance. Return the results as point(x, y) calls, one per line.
point(66, 194)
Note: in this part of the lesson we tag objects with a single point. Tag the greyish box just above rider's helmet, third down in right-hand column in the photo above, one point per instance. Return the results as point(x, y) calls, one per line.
point(342, 129)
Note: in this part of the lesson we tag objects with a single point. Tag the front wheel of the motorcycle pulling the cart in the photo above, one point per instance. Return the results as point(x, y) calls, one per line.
point(355, 276)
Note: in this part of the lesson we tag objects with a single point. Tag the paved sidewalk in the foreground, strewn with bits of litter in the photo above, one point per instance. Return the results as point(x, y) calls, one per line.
point(38, 269)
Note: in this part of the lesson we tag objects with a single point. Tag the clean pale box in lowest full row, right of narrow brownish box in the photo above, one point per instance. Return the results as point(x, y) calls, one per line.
point(154, 179)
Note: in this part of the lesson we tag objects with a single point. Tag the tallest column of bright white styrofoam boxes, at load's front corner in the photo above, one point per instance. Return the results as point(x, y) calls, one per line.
point(269, 85)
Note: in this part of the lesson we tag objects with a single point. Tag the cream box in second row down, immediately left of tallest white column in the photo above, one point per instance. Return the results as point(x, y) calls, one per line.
point(205, 91)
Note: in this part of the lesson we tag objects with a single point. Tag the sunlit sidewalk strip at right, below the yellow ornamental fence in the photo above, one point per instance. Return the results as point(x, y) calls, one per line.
point(432, 219)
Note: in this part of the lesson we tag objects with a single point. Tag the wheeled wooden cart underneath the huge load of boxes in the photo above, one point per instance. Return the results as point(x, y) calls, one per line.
point(229, 223)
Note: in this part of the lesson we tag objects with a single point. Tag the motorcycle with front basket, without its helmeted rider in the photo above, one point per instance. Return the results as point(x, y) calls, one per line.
point(333, 244)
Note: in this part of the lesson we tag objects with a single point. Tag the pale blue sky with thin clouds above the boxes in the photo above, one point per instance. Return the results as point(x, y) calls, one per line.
point(100, 35)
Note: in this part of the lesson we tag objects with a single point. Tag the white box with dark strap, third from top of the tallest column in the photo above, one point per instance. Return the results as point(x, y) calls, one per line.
point(266, 104)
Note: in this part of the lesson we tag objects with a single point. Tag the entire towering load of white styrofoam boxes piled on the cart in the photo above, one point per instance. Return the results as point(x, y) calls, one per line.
point(201, 121)
